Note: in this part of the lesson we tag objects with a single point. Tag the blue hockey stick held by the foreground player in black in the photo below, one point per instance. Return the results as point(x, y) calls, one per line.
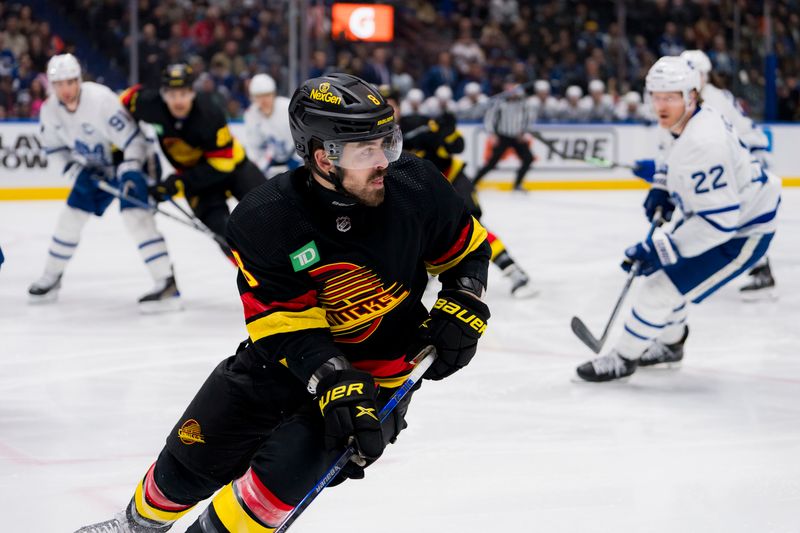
point(423, 360)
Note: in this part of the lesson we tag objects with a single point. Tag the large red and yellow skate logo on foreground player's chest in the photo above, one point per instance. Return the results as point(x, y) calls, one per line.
point(355, 300)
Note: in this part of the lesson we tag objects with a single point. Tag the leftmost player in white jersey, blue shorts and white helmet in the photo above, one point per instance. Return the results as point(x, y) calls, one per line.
point(81, 123)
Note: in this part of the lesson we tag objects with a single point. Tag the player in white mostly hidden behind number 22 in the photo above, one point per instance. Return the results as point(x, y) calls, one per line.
point(753, 136)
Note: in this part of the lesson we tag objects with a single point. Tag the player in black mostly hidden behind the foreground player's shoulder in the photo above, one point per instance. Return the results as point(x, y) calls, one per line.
point(438, 140)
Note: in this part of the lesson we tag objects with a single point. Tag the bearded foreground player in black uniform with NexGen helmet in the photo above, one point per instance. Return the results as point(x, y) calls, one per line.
point(333, 260)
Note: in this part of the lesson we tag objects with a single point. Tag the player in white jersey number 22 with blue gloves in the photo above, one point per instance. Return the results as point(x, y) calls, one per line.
point(729, 204)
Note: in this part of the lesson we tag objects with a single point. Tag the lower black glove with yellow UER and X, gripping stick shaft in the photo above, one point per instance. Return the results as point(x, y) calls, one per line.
point(347, 402)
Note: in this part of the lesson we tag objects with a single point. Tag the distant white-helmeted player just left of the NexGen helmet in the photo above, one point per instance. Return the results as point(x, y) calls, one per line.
point(268, 141)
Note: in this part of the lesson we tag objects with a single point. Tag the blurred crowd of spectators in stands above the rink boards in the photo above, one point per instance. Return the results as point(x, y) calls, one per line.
point(445, 48)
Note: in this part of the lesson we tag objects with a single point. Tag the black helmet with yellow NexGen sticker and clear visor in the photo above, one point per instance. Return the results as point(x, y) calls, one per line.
point(340, 108)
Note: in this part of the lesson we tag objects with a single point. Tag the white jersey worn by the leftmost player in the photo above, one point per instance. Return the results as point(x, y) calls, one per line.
point(89, 135)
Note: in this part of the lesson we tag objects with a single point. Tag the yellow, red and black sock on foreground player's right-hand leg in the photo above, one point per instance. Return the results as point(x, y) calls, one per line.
point(243, 505)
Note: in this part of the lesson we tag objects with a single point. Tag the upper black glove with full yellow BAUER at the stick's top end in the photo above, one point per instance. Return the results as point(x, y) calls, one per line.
point(457, 322)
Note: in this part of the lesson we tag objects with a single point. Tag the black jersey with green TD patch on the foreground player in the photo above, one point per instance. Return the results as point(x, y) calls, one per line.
point(319, 279)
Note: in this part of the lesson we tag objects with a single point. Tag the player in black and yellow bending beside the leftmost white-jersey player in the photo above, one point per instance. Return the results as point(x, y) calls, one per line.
point(210, 163)
